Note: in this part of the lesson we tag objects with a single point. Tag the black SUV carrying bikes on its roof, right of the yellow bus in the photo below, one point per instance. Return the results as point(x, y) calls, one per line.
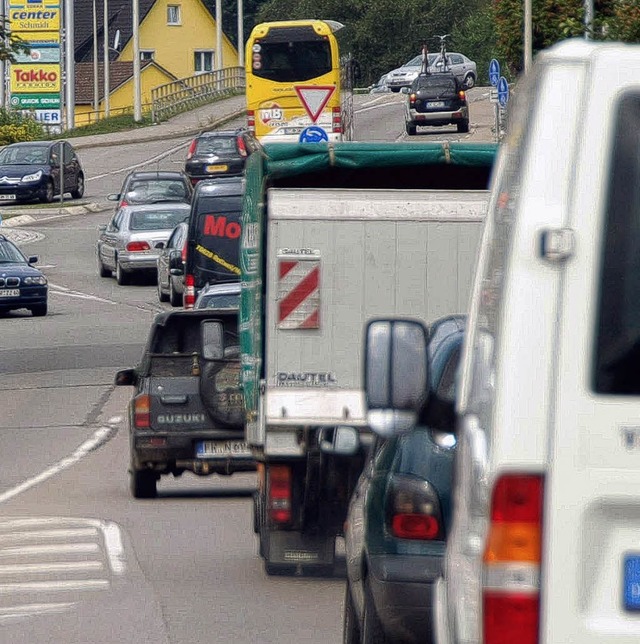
point(436, 99)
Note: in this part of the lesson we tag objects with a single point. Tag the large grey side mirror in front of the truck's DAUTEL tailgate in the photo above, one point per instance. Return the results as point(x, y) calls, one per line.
point(396, 374)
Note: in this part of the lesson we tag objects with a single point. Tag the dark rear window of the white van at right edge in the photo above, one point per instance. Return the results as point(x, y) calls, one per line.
point(617, 363)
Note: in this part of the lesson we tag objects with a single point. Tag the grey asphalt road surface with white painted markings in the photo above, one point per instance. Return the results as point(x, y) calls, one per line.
point(80, 560)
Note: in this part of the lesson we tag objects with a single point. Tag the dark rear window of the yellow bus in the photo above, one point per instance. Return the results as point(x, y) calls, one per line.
point(291, 61)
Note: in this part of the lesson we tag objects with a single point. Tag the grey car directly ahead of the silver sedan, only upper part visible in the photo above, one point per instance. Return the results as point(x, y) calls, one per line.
point(153, 187)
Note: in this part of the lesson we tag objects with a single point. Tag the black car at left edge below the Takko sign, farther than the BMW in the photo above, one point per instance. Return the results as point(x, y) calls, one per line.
point(33, 169)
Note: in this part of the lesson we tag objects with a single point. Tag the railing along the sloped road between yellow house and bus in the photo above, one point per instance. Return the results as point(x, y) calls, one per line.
point(188, 93)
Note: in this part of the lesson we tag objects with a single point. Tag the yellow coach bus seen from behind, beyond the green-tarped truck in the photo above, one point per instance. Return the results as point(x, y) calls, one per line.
point(298, 85)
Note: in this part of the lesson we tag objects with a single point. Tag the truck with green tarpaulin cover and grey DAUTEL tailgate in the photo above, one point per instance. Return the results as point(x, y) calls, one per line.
point(334, 235)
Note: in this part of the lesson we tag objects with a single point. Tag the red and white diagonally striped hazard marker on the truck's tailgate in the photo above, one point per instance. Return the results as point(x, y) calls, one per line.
point(299, 294)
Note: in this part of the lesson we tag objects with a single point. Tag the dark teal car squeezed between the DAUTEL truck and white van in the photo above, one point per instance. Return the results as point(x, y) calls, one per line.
point(399, 518)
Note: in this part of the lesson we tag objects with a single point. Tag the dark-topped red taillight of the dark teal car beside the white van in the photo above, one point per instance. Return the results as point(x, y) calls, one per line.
point(413, 509)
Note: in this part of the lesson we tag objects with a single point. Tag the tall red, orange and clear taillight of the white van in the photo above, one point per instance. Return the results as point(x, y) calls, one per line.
point(513, 551)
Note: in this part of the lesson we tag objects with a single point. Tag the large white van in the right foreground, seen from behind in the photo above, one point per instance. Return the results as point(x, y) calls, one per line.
point(545, 546)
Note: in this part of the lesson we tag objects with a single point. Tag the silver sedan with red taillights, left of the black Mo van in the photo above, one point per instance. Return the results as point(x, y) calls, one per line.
point(131, 241)
